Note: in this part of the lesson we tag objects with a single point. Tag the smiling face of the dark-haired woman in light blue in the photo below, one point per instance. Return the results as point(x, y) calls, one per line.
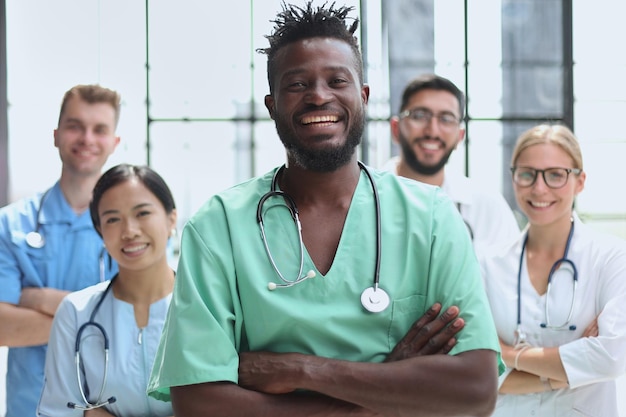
point(134, 225)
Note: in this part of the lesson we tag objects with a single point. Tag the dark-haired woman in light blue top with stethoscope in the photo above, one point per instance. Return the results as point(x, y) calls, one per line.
point(104, 338)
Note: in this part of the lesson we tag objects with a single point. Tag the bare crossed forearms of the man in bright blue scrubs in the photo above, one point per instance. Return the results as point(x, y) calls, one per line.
point(28, 323)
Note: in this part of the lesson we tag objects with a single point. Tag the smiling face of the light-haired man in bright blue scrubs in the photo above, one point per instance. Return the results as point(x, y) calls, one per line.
point(85, 136)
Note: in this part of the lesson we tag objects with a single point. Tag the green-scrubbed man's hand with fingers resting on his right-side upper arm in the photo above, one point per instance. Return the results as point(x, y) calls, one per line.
point(430, 334)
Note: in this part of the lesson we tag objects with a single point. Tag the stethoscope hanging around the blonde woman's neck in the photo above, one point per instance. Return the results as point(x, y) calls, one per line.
point(520, 335)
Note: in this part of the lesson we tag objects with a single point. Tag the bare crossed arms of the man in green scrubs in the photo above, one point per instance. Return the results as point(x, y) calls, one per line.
point(417, 378)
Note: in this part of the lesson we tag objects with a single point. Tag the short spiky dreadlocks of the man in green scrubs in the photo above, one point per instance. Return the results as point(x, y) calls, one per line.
point(295, 23)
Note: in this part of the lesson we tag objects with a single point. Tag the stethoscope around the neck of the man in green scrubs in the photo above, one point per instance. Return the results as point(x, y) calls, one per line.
point(372, 296)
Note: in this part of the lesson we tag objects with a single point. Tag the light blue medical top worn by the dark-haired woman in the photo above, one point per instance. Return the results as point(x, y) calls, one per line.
point(131, 353)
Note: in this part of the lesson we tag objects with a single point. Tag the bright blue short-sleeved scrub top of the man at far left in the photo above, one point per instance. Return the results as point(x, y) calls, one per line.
point(69, 260)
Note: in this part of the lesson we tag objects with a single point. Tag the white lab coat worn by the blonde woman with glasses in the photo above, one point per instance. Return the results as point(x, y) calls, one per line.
point(591, 364)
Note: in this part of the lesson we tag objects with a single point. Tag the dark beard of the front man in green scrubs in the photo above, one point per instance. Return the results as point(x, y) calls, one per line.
point(321, 160)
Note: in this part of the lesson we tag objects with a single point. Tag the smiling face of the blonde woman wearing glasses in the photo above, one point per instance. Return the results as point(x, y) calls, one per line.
point(541, 204)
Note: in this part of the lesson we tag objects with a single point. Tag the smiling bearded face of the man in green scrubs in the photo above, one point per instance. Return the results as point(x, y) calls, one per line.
point(318, 103)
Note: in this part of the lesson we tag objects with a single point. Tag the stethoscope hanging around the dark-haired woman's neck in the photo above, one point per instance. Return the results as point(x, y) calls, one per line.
point(89, 405)
